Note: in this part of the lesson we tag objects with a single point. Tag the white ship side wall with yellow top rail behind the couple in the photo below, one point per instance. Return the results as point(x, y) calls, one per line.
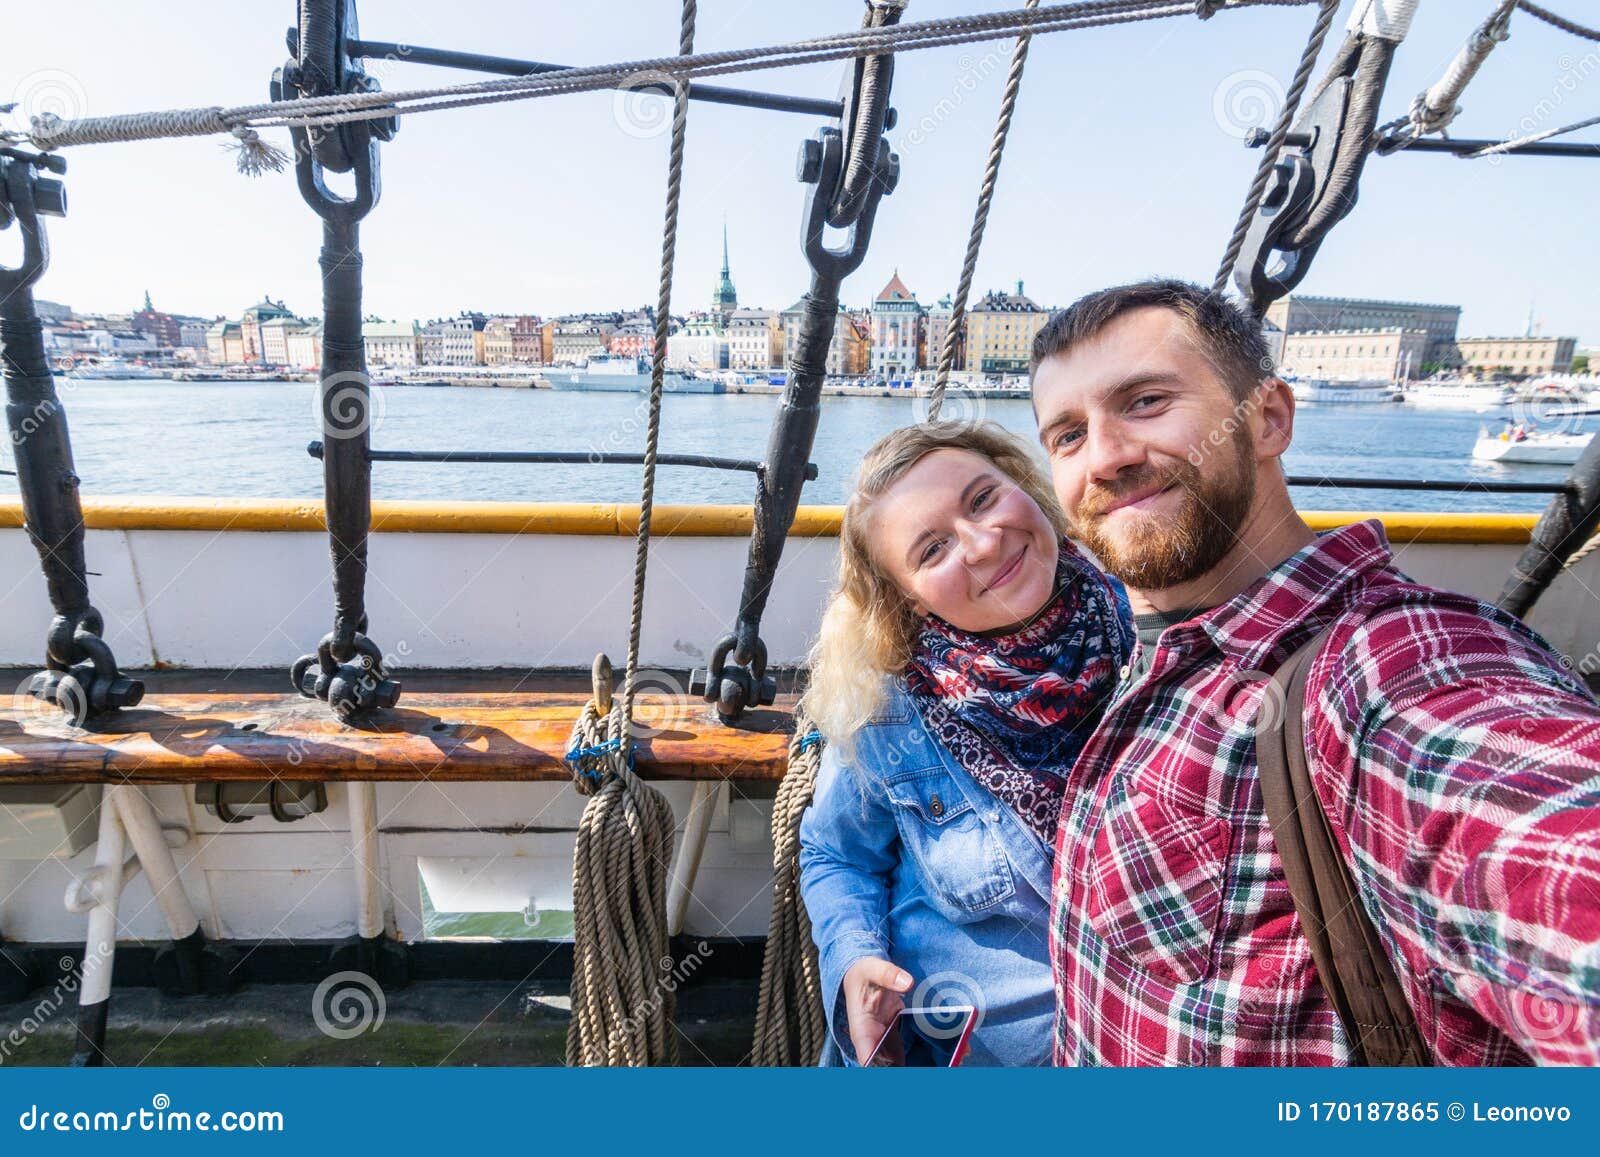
point(479, 587)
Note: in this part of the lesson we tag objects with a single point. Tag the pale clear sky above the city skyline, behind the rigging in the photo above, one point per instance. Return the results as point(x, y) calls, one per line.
point(1126, 161)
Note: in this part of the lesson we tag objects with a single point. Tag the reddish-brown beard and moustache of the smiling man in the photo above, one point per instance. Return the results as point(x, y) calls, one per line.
point(1159, 551)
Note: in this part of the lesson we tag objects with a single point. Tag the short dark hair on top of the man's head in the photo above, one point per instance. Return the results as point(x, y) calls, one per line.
point(1230, 338)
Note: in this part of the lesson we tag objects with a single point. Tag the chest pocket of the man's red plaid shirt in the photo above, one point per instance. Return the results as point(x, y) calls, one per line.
point(1156, 884)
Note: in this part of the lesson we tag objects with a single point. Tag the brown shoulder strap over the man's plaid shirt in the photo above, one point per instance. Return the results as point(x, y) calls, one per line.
point(1345, 945)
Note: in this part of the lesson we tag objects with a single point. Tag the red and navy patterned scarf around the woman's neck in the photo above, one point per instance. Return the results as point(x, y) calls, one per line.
point(1017, 710)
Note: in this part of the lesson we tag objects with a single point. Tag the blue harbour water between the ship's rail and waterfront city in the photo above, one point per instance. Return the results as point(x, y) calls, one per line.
point(249, 441)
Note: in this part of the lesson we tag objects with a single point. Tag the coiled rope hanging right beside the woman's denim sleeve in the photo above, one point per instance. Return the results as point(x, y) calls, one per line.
point(790, 1020)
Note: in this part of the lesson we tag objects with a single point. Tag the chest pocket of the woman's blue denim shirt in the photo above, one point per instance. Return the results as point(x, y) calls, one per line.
point(961, 862)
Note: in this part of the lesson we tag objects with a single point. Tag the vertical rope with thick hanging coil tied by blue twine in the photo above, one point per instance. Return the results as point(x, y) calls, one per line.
point(623, 988)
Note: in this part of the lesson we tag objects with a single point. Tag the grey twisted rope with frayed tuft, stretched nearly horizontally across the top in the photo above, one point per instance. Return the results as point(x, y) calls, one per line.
point(49, 132)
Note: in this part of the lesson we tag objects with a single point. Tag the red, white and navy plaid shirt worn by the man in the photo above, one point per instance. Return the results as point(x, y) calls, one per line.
point(1460, 767)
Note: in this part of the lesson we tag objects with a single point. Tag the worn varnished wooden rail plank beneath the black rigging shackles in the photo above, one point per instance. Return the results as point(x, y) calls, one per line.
point(196, 727)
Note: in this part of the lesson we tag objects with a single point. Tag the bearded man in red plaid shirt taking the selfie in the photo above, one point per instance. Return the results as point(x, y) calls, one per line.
point(1458, 764)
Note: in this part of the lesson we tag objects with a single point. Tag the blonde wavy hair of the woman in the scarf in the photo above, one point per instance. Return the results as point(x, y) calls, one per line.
point(870, 625)
